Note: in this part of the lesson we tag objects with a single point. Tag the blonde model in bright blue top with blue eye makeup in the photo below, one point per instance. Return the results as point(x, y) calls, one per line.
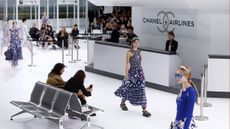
point(185, 100)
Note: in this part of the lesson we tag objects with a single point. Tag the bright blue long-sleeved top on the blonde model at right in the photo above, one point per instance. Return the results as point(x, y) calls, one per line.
point(185, 105)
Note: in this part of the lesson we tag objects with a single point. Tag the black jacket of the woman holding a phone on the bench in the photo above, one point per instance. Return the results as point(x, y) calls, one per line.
point(76, 85)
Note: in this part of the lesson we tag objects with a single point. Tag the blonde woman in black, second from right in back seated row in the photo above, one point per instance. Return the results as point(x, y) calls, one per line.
point(63, 36)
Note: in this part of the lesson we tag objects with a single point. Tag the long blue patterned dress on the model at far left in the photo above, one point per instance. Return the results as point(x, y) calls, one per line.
point(15, 46)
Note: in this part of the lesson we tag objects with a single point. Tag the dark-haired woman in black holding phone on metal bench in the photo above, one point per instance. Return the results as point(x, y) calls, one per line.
point(76, 85)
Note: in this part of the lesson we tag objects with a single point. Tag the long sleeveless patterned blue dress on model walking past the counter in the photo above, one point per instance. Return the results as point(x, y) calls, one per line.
point(133, 89)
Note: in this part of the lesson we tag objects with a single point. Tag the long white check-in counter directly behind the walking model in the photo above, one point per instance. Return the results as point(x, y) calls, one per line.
point(159, 66)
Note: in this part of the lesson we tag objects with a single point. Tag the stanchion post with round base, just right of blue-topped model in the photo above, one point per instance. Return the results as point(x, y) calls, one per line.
point(201, 117)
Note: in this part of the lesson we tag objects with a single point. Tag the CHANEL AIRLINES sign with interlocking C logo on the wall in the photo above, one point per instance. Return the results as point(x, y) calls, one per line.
point(182, 22)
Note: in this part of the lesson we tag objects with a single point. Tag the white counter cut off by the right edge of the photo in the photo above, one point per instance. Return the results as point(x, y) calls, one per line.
point(218, 74)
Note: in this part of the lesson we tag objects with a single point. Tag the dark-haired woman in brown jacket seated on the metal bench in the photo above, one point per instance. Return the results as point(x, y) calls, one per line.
point(54, 77)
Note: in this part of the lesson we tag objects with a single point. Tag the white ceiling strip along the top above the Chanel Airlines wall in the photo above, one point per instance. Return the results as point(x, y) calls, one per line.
point(179, 4)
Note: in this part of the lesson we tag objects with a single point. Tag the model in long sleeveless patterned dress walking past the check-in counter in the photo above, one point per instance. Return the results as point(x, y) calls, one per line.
point(133, 86)
